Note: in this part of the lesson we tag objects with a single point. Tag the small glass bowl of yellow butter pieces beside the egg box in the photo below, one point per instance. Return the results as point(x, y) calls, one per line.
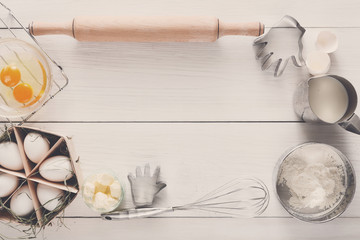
point(92, 186)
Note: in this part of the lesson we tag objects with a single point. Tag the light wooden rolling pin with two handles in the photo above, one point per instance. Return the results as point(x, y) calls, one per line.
point(147, 29)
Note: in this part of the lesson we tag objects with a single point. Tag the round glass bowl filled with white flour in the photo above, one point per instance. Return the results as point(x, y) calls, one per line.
point(323, 190)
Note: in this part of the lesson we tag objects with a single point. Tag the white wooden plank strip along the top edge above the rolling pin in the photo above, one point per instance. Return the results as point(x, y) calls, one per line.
point(309, 13)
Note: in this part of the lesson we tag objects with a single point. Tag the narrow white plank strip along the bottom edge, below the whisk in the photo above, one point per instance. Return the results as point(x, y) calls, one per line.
point(205, 228)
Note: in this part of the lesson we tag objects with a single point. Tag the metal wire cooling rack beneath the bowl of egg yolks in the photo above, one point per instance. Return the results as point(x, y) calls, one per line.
point(11, 27)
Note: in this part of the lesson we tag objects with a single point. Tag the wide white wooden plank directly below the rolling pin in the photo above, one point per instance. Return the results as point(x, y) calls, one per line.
point(218, 81)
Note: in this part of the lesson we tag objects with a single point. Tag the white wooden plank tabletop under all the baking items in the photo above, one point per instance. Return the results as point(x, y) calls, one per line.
point(204, 112)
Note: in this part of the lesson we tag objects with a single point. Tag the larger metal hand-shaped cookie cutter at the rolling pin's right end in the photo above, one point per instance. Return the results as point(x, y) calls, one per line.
point(281, 43)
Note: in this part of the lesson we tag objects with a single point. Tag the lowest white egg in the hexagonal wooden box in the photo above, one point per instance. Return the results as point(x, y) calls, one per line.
point(21, 203)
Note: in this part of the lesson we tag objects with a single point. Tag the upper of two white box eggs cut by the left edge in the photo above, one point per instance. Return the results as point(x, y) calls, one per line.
point(10, 156)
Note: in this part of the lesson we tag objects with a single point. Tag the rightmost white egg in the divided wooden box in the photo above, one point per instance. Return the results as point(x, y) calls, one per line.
point(56, 169)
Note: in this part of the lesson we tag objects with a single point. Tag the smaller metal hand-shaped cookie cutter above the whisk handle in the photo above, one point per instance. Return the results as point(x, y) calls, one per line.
point(144, 187)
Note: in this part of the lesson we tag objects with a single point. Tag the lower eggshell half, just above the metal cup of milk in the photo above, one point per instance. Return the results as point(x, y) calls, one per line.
point(318, 63)
